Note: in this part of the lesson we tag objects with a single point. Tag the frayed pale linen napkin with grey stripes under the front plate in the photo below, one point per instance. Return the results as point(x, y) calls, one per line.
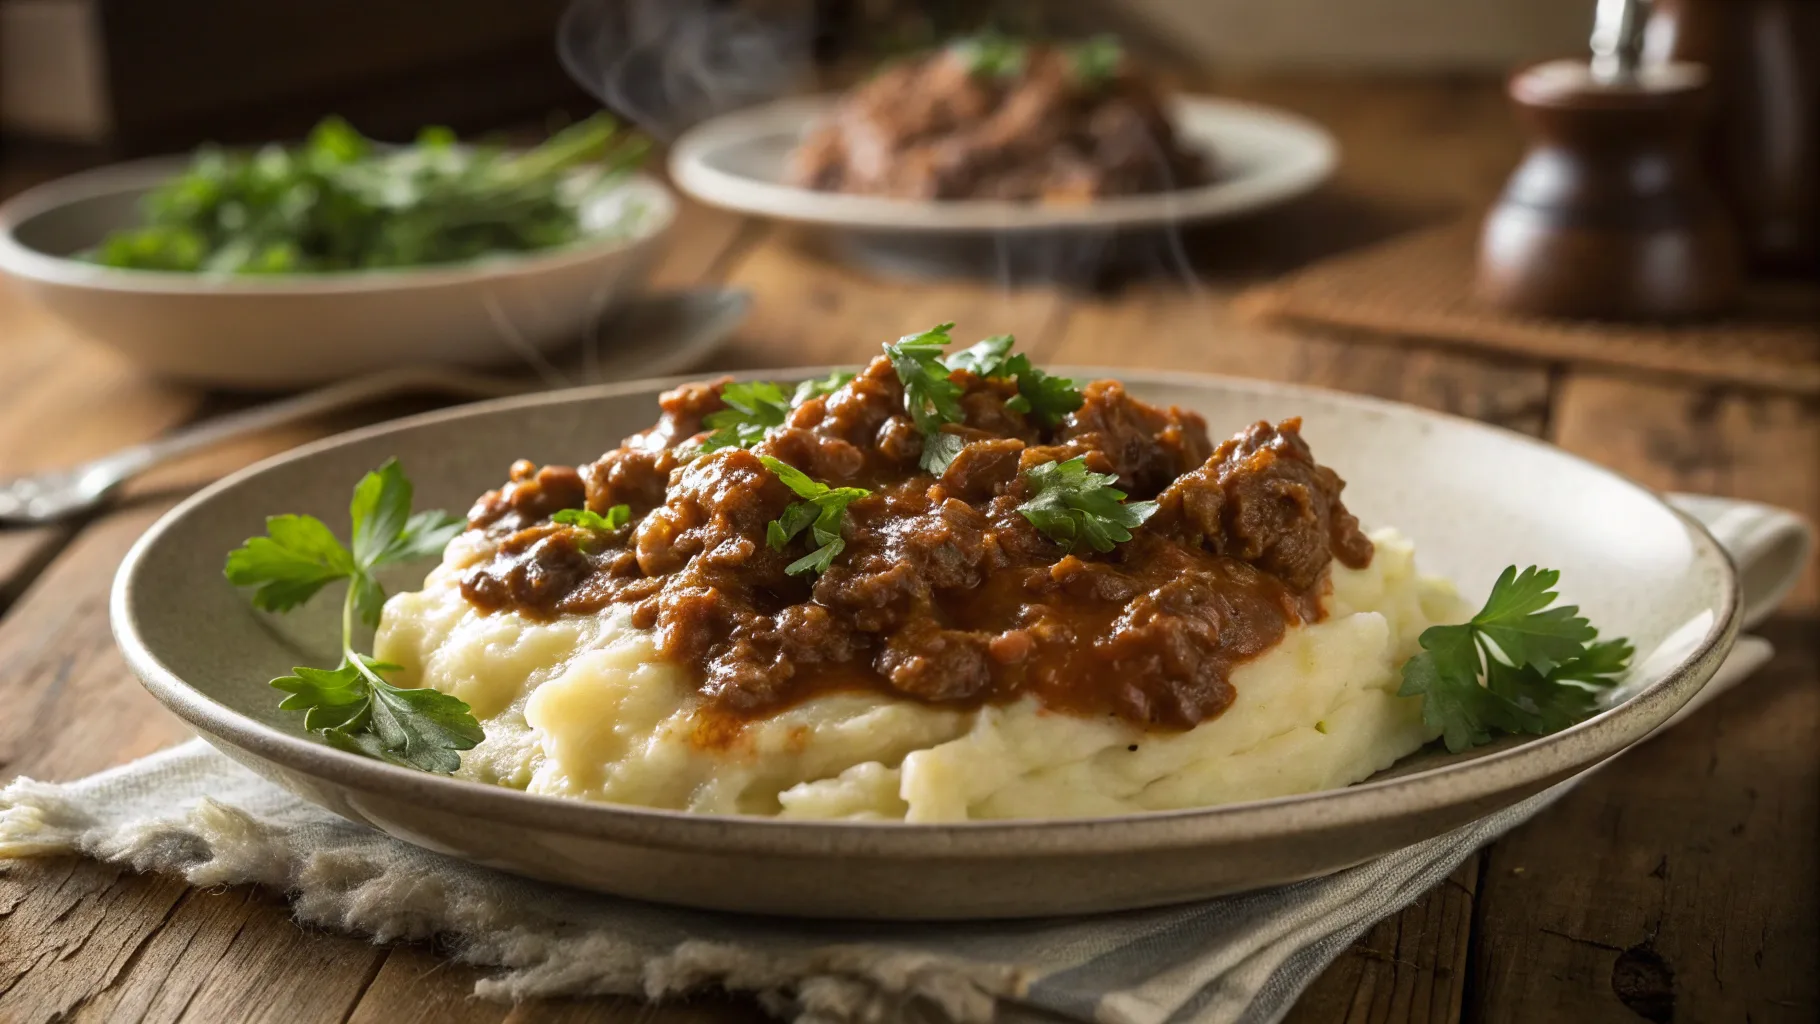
point(1239, 959)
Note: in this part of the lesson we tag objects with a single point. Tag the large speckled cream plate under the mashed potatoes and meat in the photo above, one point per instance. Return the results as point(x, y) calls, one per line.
point(1473, 497)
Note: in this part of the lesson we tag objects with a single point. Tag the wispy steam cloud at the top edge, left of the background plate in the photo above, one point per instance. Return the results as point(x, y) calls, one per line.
point(667, 65)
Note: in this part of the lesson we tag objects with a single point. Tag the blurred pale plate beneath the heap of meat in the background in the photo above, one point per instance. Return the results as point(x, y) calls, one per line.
point(1262, 157)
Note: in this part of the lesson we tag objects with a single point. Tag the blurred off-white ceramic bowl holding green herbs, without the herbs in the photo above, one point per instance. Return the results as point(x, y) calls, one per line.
point(299, 330)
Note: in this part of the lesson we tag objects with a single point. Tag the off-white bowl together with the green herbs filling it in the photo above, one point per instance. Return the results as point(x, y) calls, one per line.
point(305, 265)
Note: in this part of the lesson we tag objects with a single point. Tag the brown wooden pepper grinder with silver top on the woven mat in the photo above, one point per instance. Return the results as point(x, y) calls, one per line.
point(1610, 216)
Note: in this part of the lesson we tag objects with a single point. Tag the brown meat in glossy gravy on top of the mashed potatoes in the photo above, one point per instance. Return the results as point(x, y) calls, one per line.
point(945, 594)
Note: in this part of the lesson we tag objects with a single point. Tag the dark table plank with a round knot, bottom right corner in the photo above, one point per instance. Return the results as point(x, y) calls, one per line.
point(1679, 883)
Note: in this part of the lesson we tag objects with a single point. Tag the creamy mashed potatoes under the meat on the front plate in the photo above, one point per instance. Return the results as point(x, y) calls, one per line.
point(583, 708)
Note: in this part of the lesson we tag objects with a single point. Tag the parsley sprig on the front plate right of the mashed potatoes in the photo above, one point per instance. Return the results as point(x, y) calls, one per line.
point(1519, 667)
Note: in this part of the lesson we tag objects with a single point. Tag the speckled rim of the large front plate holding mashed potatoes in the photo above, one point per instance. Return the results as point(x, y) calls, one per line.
point(1528, 765)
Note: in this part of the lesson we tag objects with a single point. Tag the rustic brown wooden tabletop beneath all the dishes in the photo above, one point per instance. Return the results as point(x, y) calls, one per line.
point(1679, 885)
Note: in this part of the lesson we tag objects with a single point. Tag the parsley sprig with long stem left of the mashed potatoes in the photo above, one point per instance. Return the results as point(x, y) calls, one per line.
point(352, 705)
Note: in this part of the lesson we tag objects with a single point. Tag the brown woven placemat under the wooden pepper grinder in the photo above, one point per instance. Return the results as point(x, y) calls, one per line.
point(1421, 286)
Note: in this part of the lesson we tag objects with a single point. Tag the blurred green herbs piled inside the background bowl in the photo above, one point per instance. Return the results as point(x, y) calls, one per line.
point(345, 203)
